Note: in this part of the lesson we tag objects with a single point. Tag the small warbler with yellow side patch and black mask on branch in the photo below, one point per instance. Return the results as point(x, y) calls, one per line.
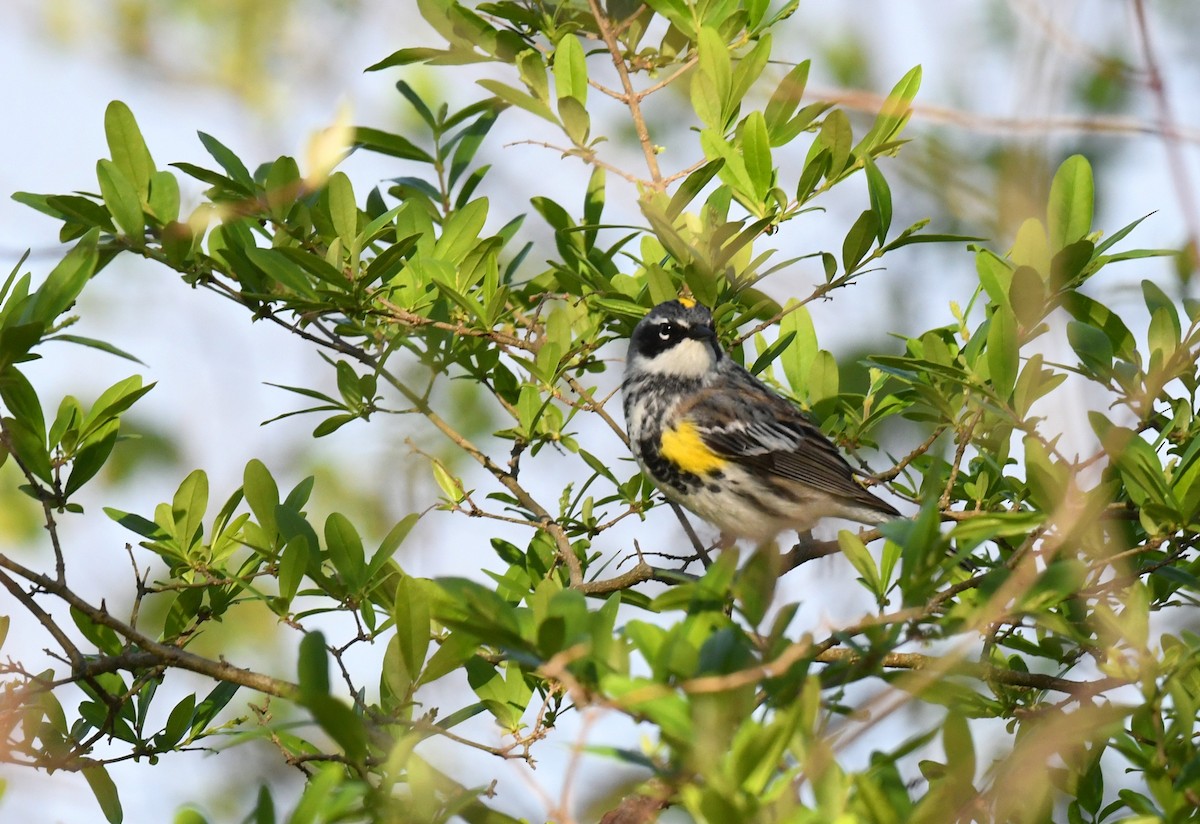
point(721, 443)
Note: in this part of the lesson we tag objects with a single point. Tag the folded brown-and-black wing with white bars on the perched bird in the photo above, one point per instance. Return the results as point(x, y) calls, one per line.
point(764, 431)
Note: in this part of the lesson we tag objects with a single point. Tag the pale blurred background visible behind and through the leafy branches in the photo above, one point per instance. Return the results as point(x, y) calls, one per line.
point(1011, 88)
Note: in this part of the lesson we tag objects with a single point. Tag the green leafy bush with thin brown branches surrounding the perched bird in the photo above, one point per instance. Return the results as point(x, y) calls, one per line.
point(1022, 588)
